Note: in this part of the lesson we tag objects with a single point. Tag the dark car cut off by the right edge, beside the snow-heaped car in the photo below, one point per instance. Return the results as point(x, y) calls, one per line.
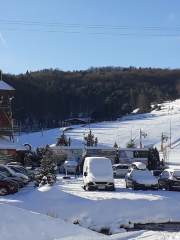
point(169, 179)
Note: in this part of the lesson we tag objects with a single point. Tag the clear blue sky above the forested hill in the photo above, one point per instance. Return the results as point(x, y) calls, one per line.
point(78, 34)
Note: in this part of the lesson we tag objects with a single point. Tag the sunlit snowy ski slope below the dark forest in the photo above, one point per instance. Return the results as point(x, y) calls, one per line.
point(166, 121)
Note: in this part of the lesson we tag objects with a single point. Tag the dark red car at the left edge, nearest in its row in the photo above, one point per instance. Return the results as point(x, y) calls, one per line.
point(7, 186)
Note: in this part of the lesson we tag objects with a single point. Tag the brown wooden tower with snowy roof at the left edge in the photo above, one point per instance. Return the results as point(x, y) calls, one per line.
point(6, 122)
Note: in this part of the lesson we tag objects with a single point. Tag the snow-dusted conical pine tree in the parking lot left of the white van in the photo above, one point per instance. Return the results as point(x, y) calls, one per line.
point(48, 169)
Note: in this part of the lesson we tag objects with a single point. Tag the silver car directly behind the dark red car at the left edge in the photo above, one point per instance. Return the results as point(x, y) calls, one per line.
point(10, 173)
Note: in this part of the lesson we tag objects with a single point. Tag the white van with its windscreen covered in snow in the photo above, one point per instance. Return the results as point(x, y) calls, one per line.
point(98, 174)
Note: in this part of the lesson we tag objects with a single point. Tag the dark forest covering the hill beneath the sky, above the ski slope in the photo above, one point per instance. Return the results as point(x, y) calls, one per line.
point(47, 97)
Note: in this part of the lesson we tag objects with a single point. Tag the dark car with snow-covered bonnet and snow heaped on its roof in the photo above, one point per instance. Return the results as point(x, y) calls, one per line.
point(139, 177)
